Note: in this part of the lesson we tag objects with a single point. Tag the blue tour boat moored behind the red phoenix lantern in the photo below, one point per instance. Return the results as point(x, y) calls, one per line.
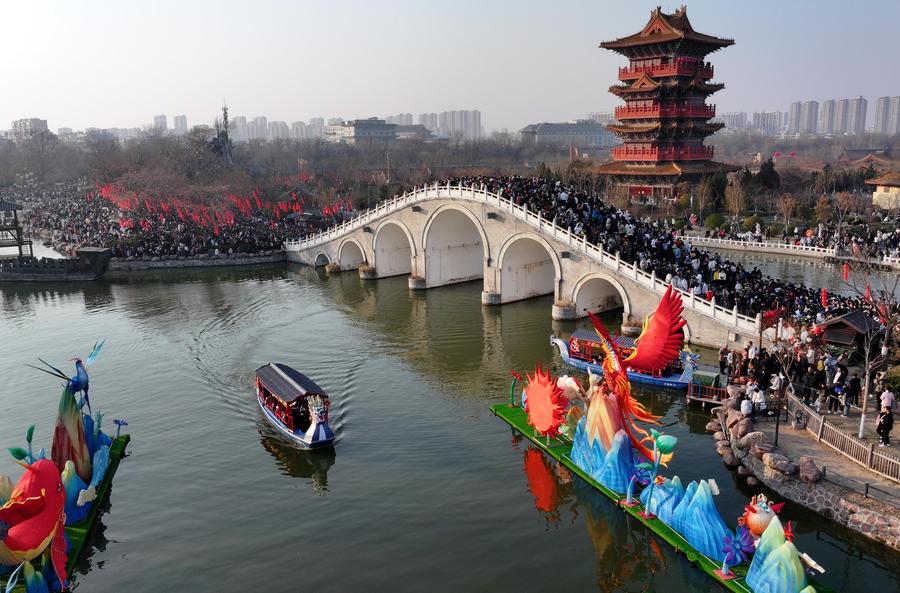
point(583, 351)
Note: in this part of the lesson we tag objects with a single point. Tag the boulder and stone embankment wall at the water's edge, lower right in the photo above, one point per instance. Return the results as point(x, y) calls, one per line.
point(801, 481)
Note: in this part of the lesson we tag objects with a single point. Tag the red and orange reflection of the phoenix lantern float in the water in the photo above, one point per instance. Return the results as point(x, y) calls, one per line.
point(628, 556)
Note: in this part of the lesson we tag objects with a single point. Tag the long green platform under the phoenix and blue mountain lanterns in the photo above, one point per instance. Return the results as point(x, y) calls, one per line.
point(559, 450)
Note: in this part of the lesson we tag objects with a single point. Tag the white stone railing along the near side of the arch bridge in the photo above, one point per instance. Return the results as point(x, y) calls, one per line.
point(728, 317)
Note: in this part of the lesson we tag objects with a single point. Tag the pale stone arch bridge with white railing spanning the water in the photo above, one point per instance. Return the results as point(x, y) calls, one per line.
point(441, 234)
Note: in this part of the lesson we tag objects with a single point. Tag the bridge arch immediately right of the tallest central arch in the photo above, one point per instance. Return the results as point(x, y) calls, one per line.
point(529, 267)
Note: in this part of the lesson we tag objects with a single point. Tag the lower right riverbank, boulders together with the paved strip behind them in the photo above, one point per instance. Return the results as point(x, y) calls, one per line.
point(794, 470)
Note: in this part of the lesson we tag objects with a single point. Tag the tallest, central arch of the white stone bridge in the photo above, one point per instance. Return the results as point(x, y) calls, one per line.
point(455, 247)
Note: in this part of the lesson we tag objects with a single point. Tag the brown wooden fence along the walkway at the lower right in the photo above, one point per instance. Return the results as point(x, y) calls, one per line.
point(862, 452)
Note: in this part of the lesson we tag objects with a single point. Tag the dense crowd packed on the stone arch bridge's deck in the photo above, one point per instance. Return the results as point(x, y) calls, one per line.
point(655, 247)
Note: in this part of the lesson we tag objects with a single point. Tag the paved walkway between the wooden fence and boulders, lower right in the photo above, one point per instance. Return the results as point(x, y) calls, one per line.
point(838, 468)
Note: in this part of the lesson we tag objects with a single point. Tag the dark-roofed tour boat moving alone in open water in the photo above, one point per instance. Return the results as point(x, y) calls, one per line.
point(294, 404)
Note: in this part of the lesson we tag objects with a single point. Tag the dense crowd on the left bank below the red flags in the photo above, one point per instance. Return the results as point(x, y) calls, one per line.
point(74, 216)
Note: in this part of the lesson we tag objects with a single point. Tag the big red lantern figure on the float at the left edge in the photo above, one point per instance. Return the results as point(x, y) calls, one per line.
point(34, 518)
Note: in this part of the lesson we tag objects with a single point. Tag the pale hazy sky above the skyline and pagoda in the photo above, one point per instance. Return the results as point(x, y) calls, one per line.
point(117, 63)
